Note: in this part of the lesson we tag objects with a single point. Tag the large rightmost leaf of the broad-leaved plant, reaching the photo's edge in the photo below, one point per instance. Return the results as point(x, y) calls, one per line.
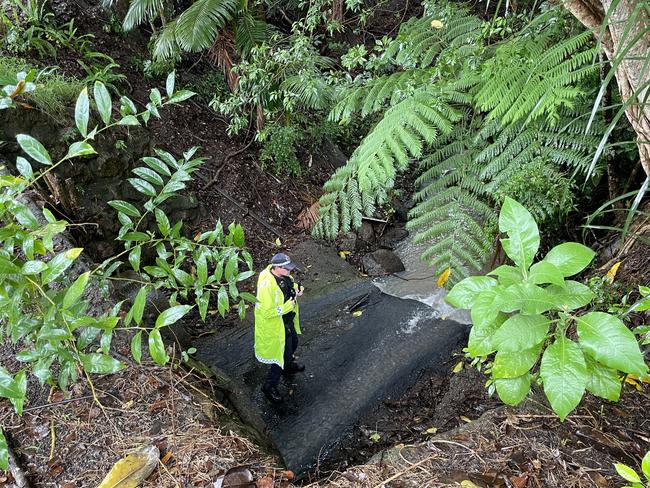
point(606, 339)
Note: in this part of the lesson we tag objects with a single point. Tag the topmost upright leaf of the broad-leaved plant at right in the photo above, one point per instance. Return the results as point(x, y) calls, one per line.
point(523, 235)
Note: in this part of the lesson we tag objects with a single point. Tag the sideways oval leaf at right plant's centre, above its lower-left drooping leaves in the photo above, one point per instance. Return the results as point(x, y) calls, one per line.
point(521, 332)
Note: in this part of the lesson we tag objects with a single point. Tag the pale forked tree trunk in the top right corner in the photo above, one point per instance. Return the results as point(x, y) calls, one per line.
point(631, 75)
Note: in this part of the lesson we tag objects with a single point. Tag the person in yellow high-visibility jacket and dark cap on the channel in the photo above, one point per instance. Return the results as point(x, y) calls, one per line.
point(277, 323)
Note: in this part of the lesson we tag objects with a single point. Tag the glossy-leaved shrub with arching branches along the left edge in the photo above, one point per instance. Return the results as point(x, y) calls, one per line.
point(43, 304)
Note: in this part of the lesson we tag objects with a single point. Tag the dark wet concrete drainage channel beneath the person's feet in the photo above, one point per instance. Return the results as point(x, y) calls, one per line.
point(353, 360)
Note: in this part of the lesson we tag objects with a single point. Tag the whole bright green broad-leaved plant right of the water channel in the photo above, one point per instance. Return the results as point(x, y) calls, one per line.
point(525, 323)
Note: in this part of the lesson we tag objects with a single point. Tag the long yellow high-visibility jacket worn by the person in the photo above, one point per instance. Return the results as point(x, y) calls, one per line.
point(269, 327)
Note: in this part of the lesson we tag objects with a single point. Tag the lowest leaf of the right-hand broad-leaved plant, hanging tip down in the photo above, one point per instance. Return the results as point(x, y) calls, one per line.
point(565, 377)
